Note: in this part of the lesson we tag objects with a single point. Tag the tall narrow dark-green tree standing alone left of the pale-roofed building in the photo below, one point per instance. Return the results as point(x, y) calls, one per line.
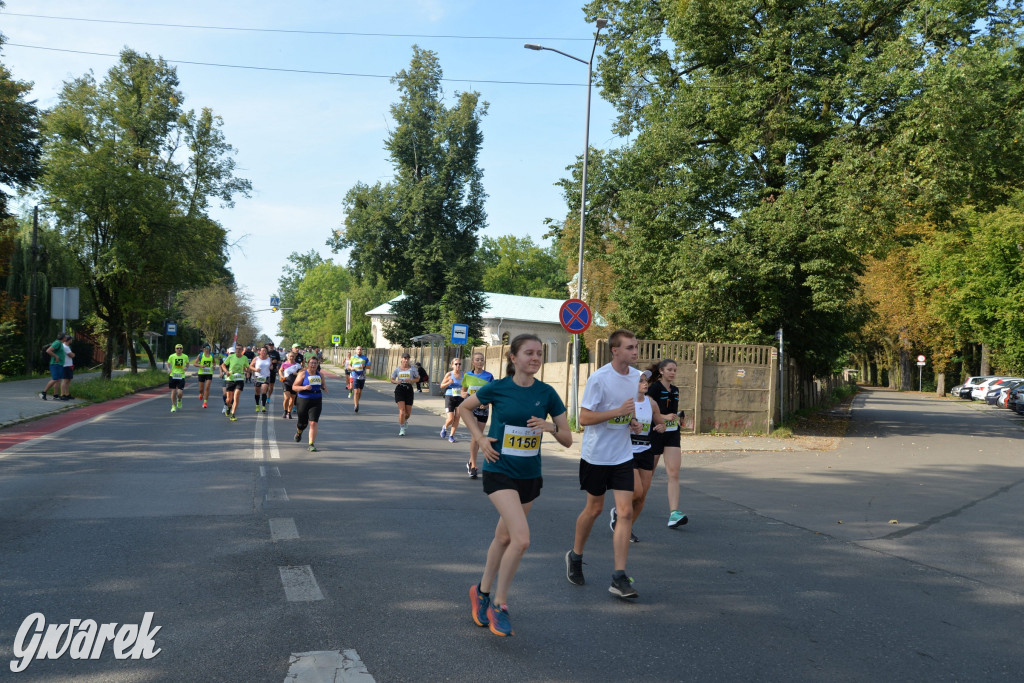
point(418, 233)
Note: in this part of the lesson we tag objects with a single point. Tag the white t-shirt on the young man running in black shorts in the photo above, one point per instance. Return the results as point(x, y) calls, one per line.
point(609, 443)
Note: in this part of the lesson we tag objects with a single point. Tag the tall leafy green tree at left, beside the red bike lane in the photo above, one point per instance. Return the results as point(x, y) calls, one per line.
point(131, 176)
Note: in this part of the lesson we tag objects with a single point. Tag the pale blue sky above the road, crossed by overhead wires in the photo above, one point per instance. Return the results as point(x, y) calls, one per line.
point(305, 140)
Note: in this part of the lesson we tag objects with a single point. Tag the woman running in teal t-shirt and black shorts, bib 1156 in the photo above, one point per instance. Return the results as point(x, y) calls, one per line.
point(513, 468)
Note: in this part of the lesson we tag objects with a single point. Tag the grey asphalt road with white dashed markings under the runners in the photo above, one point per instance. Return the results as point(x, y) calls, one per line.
point(187, 517)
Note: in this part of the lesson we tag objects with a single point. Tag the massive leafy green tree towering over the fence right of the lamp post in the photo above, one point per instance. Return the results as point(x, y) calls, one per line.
point(773, 147)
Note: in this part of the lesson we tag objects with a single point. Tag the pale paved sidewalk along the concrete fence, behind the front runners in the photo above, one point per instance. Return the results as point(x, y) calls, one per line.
point(423, 402)
